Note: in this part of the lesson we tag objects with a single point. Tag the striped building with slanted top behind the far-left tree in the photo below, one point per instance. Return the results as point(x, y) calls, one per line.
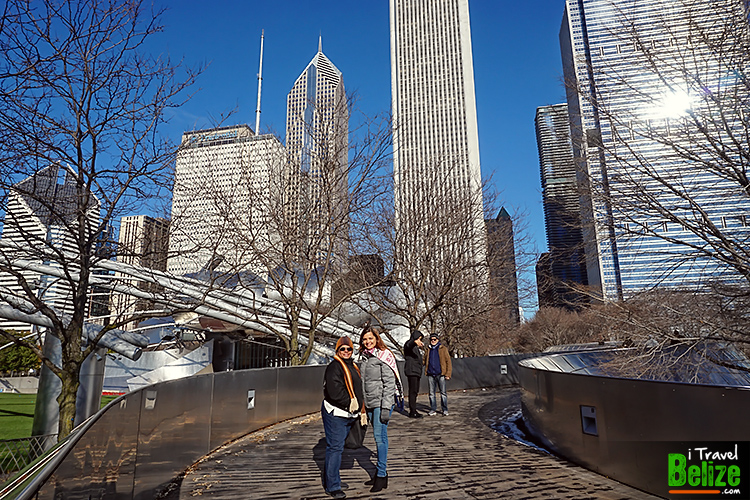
point(41, 210)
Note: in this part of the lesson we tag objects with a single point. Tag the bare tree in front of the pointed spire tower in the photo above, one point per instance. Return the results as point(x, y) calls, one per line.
point(309, 270)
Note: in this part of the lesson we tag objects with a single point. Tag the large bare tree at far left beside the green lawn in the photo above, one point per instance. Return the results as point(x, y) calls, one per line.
point(80, 108)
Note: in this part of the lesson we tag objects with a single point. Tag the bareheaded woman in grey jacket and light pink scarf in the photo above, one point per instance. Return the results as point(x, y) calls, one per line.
point(381, 384)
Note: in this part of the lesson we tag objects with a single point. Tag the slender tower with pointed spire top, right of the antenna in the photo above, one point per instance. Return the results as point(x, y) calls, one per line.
point(317, 143)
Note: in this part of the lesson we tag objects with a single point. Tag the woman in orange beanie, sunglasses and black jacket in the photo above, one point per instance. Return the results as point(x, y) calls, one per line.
point(342, 402)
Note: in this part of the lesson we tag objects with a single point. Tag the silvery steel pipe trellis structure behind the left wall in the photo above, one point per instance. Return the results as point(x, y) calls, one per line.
point(242, 306)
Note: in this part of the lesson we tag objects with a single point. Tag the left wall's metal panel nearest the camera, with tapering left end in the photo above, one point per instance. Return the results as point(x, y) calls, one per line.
point(102, 462)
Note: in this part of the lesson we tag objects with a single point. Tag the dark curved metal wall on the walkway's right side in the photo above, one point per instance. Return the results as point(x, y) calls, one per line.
point(636, 420)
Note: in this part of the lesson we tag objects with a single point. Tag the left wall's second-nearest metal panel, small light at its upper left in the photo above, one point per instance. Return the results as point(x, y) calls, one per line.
point(174, 433)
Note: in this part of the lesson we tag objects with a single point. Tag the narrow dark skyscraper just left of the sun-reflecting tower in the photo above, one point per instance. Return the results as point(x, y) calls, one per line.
point(562, 208)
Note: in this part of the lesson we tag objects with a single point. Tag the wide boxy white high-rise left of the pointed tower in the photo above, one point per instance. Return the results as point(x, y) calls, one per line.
point(223, 200)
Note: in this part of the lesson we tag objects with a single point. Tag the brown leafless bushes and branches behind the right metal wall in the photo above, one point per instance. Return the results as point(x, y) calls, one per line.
point(663, 334)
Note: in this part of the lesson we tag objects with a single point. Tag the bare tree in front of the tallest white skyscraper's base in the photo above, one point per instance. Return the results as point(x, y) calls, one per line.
point(428, 283)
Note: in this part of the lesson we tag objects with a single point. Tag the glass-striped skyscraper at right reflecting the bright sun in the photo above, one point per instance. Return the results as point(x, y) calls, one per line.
point(656, 95)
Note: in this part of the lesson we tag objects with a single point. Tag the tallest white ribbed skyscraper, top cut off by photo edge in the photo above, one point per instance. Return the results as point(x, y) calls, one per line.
point(435, 139)
